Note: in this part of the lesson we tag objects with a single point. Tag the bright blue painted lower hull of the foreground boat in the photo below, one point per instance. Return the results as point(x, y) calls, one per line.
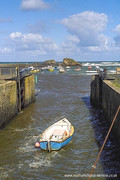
point(54, 145)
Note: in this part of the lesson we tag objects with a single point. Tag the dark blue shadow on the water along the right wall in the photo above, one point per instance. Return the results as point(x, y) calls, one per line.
point(110, 156)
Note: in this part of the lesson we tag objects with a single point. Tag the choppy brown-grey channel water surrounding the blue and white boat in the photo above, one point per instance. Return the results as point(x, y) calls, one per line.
point(61, 95)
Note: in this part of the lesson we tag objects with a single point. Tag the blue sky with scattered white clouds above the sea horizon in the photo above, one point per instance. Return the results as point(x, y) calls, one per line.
point(39, 30)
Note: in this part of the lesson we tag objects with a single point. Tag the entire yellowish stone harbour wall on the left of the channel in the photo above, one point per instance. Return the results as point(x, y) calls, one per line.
point(15, 94)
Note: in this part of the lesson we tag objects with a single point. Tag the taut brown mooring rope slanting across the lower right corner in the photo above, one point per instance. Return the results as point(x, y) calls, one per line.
point(94, 166)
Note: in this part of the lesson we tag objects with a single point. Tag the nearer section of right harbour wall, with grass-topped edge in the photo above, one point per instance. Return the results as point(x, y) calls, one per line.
point(110, 103)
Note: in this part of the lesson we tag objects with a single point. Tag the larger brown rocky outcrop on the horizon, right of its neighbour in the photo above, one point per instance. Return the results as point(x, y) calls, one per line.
point(70, 62)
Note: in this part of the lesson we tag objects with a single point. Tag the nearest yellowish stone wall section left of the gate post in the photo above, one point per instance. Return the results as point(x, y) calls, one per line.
point(8, 102)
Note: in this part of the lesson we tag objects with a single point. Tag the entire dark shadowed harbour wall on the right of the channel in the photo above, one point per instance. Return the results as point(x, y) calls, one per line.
point(105, 95)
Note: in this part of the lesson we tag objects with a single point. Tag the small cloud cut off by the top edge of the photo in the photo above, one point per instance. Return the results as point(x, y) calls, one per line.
point(34, 5)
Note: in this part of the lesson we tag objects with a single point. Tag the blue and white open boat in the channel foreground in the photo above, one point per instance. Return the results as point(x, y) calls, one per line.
point(56, 136)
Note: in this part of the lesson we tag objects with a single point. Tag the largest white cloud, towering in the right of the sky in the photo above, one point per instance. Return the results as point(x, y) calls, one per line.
point(87, 26)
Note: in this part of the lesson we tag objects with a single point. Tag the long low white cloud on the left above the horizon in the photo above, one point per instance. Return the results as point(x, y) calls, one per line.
point(32, 43)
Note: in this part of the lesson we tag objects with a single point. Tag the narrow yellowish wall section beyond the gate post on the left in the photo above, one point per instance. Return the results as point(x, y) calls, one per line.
point(29, 83)
